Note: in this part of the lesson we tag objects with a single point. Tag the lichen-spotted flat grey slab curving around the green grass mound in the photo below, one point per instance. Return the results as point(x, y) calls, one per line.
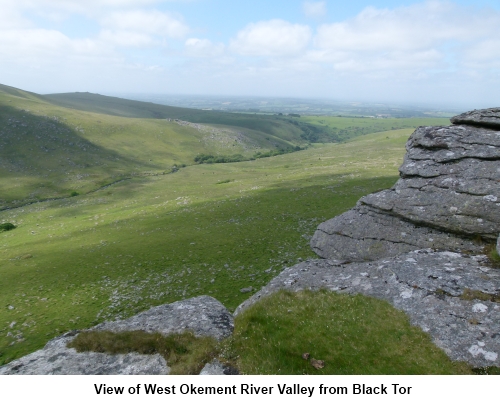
point(430, 287)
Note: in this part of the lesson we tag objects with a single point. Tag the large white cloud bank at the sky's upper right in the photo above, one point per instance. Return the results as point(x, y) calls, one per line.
point(431, 35)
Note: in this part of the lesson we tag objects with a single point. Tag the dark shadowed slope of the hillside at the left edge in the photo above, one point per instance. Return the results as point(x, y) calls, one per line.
point(42, 157)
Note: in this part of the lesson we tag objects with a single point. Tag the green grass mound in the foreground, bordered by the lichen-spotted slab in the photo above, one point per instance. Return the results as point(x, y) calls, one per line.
point(351, 334)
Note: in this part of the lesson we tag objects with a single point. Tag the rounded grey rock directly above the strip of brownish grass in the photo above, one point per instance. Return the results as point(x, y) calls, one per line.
point(204, 316)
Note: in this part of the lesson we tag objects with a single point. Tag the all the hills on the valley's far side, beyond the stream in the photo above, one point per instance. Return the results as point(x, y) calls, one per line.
point(58, 145)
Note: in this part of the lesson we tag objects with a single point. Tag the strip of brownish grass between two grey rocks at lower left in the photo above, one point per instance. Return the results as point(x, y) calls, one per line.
point(185, 353)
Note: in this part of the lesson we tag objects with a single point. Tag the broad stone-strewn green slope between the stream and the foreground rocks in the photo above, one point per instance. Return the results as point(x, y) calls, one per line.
point(146, 241)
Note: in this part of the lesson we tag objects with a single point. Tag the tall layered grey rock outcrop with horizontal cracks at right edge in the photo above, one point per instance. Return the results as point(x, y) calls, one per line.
point(447, 198)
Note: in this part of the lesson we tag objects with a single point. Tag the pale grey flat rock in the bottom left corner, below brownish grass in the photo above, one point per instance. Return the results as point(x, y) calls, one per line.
point(56, 358)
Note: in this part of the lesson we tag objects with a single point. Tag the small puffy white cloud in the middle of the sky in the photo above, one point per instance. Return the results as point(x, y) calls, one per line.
point(272, 38)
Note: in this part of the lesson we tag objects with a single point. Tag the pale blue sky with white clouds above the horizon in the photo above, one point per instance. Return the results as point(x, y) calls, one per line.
point(429, 52)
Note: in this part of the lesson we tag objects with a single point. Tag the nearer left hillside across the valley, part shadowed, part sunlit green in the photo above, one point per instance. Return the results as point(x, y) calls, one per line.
point(47, 151)
